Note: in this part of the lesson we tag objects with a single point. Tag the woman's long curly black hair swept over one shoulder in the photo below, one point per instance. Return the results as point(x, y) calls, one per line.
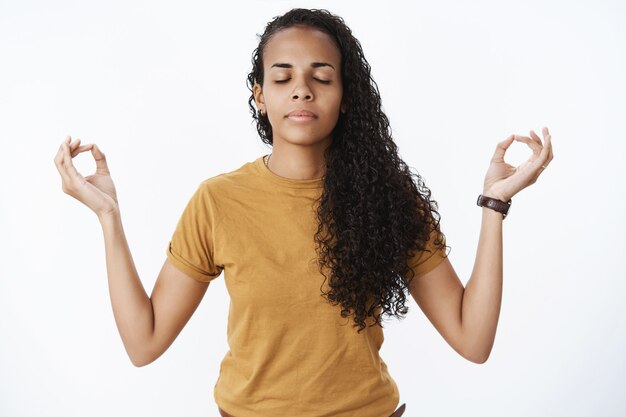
point(374, 213)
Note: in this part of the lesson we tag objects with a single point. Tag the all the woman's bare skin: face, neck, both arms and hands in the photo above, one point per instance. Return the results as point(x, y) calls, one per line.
point(465, 317)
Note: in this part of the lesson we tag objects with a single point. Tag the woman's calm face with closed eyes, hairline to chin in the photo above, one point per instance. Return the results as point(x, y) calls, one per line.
point(301, 72)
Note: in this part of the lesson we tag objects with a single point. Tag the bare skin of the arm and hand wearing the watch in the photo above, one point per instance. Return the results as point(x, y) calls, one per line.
point(467, 317)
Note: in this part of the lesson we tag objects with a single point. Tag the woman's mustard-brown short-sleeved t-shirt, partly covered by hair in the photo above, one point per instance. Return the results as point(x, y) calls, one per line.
point(291, 353)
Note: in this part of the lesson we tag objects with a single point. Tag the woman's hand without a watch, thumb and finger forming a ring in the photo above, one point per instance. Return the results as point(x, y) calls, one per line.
point(95, 191)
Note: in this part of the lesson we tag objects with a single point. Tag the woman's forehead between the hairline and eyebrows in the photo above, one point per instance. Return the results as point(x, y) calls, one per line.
point(301, 45)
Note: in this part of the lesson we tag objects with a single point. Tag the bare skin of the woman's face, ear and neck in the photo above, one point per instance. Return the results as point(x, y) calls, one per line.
point(298, 146)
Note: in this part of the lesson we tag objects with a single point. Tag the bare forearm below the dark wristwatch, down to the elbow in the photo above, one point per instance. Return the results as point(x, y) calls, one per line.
point(482, 297)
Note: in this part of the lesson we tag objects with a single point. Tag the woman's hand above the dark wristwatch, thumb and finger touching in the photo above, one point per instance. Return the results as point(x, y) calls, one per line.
point(503, 181)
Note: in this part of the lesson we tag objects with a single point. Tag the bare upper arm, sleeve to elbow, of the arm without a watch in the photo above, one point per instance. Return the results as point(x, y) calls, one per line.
point(174, 298)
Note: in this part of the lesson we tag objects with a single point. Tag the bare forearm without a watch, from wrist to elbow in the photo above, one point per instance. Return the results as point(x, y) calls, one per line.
point(132, 308)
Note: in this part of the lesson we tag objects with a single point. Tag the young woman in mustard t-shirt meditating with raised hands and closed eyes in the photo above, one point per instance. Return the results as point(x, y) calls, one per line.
point(317, 240)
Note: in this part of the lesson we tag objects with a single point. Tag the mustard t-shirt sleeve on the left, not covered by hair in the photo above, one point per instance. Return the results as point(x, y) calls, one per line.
point(191, 248)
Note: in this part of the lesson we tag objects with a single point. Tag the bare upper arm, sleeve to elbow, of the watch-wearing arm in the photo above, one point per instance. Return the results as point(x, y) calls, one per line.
point(439, 294)
